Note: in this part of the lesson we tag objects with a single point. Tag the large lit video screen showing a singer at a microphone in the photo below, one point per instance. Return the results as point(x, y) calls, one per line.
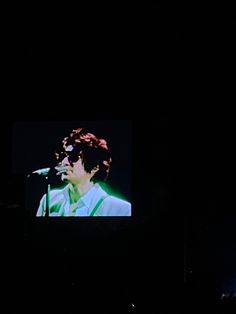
point(75, 168)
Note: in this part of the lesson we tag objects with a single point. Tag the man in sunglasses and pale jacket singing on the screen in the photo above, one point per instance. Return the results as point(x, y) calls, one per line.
point(84, 162)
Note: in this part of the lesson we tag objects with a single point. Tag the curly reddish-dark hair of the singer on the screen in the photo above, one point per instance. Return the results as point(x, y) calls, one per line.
point(92, 150)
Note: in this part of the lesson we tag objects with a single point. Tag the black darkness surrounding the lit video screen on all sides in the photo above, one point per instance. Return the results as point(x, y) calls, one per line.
point(143, 63)
